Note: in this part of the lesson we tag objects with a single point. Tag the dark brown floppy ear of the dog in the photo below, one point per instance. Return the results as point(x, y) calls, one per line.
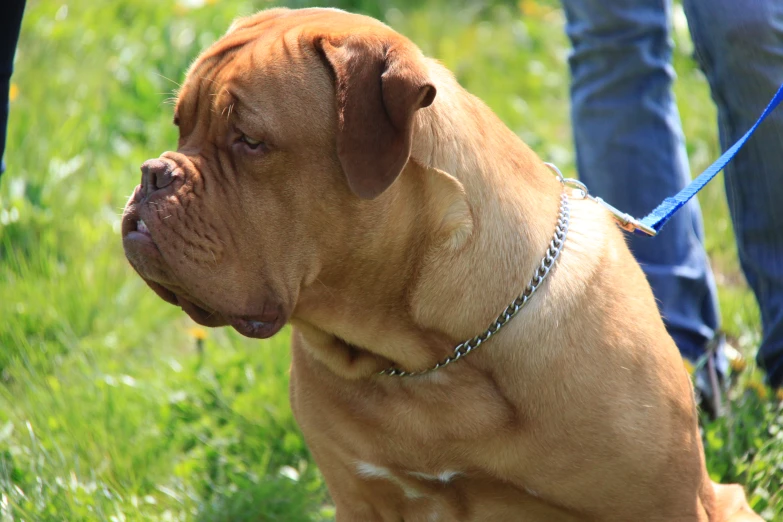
point(380, 83)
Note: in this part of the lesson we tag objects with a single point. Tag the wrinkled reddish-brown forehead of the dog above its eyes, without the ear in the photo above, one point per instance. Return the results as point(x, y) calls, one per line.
point(266, 68)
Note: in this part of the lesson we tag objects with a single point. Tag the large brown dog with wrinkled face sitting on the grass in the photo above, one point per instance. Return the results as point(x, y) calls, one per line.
point(329, 175)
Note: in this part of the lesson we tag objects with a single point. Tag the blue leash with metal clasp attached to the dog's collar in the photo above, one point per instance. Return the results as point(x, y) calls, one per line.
point(654, 221)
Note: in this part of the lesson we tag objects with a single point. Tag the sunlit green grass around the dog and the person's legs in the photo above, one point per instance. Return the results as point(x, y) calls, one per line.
point(113, 406)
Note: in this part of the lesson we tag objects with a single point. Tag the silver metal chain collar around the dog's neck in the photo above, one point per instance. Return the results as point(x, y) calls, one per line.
point(552, 253)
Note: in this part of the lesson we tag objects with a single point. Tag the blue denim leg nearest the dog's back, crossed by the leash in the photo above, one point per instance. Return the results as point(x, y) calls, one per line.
point(631, 152)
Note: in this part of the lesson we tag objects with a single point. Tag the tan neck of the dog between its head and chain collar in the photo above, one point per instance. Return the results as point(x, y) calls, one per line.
point(462, 231)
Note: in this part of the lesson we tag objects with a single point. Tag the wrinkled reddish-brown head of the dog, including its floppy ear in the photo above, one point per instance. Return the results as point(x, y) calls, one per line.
point(289, 125)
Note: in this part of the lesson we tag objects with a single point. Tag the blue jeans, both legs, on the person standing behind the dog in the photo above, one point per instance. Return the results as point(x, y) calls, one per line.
point(631, 150)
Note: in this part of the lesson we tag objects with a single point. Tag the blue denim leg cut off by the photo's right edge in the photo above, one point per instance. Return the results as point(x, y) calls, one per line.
point(740, 49)
